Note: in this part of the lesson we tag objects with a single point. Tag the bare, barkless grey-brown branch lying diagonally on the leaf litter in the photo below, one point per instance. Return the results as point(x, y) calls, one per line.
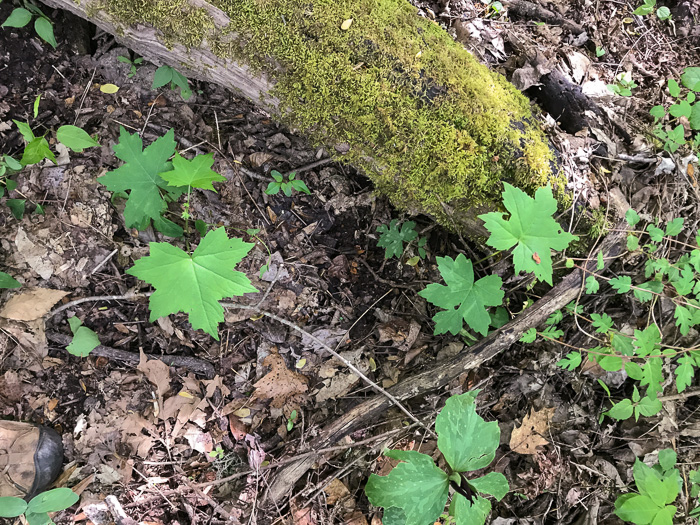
point(441, 374)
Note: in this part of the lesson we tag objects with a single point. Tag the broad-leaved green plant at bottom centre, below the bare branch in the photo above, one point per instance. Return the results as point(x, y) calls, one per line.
point(416, 490)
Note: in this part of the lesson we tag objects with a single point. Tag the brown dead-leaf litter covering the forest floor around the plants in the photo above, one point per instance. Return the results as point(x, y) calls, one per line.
point(162, 438)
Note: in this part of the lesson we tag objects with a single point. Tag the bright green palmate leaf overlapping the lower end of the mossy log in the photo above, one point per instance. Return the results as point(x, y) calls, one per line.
point(532, 227)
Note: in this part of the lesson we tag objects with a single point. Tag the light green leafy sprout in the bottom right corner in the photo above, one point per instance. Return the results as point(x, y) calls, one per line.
point(658, 487)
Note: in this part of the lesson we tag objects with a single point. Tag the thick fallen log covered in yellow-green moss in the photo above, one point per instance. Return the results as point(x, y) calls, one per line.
point(383, 89)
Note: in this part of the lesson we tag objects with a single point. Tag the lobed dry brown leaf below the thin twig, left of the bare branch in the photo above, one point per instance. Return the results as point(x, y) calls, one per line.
point(281, 385)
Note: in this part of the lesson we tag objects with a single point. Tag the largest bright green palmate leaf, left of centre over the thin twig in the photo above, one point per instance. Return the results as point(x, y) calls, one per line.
point(195, 283)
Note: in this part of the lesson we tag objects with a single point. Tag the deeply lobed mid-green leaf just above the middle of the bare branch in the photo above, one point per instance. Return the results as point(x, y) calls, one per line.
point(462, 298)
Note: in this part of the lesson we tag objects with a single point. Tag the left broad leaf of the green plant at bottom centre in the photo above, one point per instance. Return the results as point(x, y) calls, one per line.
point(416, 486)
